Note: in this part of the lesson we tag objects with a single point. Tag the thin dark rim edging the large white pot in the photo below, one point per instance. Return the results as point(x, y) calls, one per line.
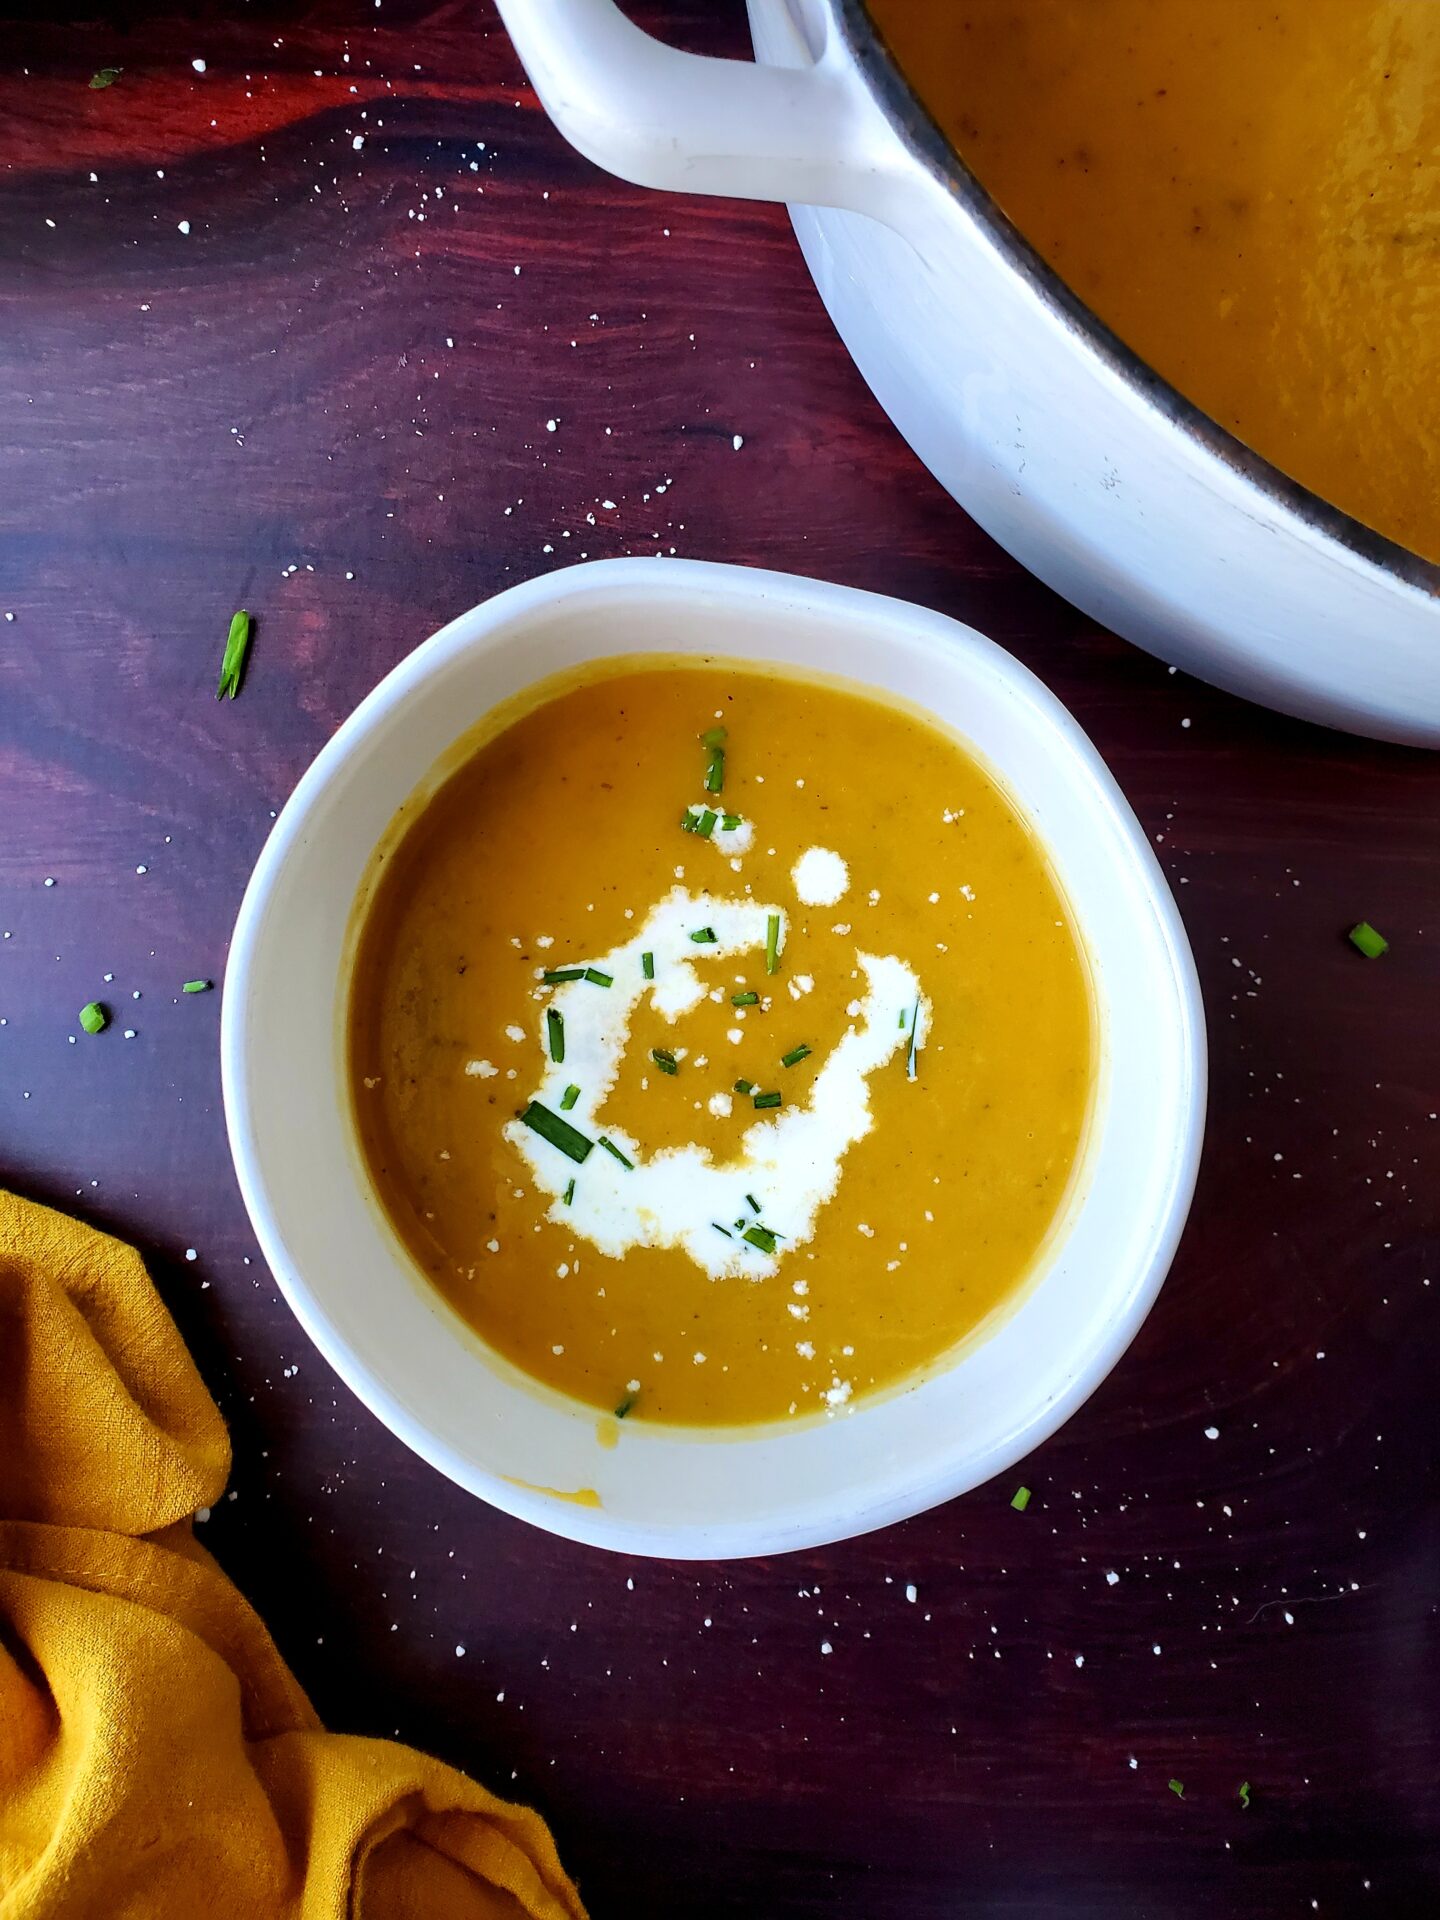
point(940, 158)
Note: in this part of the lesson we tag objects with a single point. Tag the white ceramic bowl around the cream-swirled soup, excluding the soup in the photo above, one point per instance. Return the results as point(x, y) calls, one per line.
point(398, 1345)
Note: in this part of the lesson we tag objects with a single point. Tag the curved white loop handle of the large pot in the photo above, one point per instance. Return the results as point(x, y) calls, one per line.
point(702, 126)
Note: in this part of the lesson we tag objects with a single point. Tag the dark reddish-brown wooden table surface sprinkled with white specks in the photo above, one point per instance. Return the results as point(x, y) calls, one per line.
point(341, 331)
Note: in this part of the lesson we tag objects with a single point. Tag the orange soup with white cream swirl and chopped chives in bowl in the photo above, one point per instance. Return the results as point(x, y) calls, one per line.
point(719, 1042)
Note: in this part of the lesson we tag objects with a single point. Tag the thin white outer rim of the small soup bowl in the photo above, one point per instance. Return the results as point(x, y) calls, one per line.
point(913, 1495)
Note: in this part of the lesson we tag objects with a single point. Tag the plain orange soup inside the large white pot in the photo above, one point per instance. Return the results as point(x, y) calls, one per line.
point(1245, 191)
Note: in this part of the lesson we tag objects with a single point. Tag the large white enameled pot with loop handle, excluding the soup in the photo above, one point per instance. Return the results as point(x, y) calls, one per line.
point(1061, 443)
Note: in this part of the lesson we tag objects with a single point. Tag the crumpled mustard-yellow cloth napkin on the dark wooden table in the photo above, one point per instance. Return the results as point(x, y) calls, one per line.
point(156, 1756)
